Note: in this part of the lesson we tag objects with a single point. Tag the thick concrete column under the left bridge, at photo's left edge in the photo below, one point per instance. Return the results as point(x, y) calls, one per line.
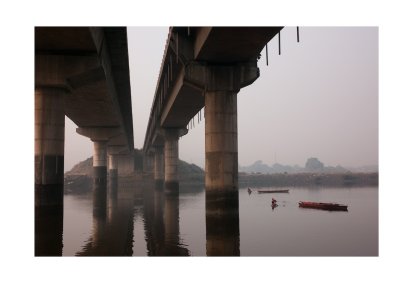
point(49, 146)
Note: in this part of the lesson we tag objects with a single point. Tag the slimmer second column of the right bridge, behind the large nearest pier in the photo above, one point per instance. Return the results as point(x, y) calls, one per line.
point(171, 157)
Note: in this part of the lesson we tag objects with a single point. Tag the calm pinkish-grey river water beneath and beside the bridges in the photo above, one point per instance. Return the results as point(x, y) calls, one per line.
point(142, 223)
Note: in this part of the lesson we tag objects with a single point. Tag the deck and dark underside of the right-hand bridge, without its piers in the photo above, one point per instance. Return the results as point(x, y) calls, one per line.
point(208, 46)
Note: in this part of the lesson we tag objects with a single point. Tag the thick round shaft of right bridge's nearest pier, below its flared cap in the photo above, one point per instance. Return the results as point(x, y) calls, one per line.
point(221, 148)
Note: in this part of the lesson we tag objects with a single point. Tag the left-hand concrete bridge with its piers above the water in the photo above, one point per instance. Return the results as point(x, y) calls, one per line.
point(83, 73)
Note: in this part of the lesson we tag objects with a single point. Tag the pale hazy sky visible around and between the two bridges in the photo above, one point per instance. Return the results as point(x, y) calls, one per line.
point(319, 98)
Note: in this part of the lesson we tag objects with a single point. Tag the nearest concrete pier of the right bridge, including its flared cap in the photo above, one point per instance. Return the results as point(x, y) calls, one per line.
point(221, 84)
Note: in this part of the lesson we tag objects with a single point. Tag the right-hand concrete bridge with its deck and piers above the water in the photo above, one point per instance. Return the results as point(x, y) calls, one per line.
point(203, 67)
